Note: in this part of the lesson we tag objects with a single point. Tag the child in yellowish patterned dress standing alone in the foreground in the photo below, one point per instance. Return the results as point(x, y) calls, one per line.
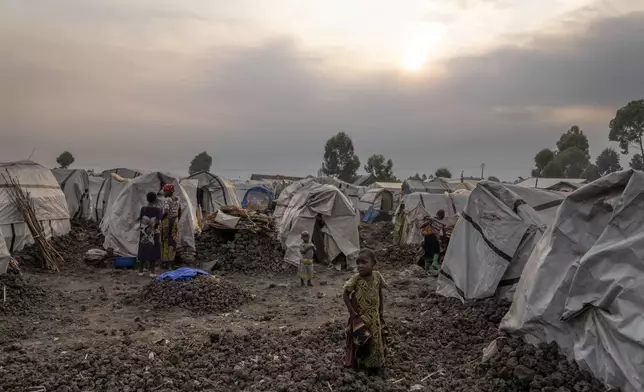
point(363, 297)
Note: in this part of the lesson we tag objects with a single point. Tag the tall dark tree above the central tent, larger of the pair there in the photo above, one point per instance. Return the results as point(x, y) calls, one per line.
point(340, 159)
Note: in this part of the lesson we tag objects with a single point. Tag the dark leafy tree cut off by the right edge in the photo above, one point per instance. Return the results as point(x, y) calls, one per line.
point(628, 126)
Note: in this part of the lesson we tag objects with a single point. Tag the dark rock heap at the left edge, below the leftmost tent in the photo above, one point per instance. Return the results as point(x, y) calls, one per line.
point(21, 297)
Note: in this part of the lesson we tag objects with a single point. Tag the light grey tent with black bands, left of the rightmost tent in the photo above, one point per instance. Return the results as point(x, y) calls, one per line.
point(489, 247)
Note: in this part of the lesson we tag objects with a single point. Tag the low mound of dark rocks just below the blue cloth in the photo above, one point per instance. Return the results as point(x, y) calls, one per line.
point(204, 294)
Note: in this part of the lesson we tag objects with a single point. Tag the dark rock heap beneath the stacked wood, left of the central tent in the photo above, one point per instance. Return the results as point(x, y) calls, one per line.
point(245, 252)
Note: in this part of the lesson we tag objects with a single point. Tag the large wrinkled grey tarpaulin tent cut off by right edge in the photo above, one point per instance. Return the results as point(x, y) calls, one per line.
point(583, 286)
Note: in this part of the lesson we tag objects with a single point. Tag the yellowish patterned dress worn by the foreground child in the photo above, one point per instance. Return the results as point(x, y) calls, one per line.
point(365, 294)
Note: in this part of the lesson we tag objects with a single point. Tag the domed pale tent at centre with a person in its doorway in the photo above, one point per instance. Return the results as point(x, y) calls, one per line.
point(340, 232)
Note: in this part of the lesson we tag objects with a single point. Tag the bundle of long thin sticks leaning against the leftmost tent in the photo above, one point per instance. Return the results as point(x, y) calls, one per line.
point(49, 256)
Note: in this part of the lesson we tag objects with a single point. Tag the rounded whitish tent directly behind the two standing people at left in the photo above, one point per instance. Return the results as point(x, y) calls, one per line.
point(121, 226)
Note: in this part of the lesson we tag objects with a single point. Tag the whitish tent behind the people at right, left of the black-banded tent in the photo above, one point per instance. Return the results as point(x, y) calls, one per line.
point(418, 205)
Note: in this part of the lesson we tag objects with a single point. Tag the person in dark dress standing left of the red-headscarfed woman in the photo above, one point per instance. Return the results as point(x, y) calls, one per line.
point(149, 235)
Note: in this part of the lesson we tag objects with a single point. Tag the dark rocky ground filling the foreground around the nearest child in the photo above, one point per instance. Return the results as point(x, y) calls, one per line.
point(82, 333)
